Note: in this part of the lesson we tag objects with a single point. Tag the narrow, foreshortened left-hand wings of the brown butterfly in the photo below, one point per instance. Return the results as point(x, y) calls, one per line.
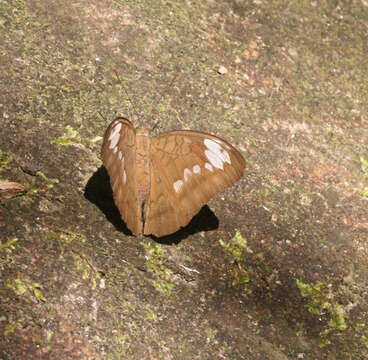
point(119, 158)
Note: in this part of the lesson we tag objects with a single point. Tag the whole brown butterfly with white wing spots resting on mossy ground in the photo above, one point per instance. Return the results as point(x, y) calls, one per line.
point(159, 184)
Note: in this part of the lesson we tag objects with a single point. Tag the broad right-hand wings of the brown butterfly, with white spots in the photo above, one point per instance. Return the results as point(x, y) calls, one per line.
point(187, 168)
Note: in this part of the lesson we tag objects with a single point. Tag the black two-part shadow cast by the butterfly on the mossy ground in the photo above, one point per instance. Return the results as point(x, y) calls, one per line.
point(98, 191)
